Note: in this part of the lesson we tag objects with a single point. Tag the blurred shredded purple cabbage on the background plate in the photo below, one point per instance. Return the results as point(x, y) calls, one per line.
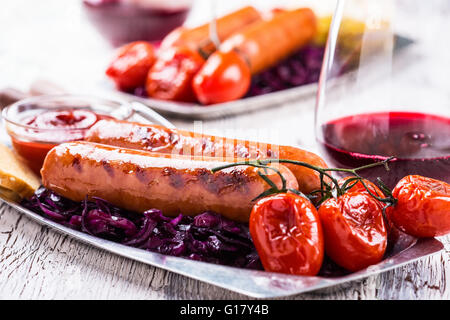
point(303, 67)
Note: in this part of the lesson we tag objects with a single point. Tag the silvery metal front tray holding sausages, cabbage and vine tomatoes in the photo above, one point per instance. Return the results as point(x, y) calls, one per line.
point(257, 284)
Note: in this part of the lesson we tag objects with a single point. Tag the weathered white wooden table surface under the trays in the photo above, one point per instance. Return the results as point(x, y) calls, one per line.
point(38, 263)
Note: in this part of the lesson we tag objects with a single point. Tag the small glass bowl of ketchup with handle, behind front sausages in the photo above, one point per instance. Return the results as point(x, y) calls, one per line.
point(36, 125)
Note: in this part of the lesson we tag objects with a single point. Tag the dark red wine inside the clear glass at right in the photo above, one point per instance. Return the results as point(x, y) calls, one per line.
point(419, 142)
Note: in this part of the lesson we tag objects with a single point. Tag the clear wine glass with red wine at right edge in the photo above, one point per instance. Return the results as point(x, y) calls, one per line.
point(384, 88)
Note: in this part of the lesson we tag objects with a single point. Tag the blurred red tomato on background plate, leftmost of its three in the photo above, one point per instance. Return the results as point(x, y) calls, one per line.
point(130, 66)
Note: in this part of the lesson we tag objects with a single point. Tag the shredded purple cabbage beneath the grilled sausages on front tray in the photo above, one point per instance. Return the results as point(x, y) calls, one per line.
point(207, 237)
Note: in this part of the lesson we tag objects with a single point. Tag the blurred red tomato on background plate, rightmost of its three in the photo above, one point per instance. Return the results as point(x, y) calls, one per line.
point(224, 77)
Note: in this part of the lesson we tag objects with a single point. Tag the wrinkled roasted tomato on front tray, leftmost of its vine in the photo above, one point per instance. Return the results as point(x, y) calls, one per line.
point(287, 234)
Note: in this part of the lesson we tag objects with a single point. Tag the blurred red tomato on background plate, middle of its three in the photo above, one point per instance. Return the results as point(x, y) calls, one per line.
point(171, 76)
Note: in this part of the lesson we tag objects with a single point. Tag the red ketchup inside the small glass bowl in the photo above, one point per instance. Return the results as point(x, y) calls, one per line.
point(48, 129)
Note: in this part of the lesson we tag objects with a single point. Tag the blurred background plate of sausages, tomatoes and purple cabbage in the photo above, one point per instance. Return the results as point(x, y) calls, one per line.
point(278, 55)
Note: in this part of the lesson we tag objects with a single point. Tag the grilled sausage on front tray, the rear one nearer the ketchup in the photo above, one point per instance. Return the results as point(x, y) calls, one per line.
point(174, 141)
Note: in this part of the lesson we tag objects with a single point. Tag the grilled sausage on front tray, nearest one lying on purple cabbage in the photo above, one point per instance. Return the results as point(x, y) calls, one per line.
point(139, 180)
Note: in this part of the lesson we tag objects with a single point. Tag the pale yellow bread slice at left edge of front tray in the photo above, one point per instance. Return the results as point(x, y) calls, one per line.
point(15, 175)
